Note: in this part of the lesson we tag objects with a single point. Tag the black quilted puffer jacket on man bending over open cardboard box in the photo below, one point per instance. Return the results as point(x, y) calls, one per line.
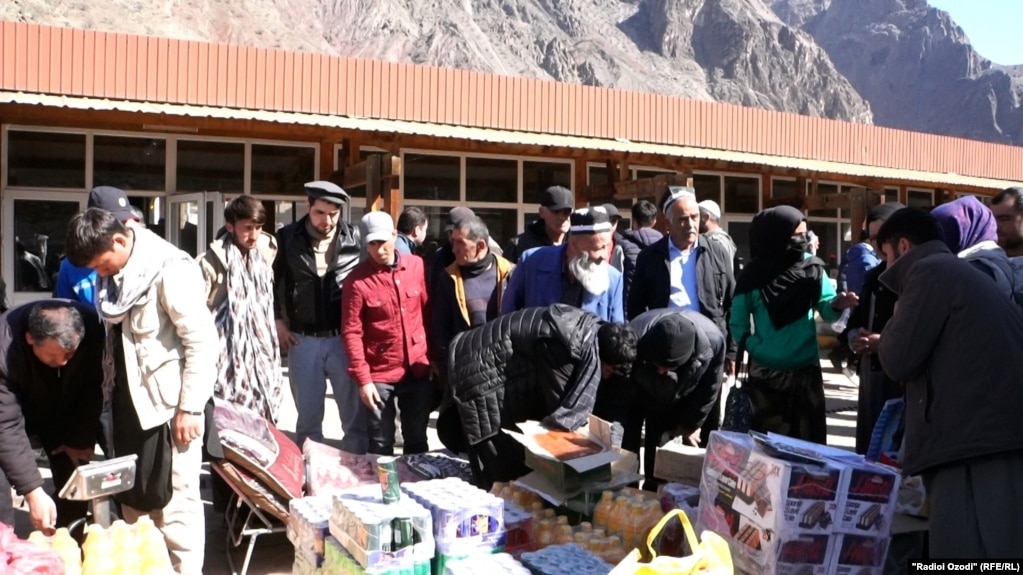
point(537, 364)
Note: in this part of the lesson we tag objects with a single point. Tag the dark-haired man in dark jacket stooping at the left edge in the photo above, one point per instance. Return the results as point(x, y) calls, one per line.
point(52, 387)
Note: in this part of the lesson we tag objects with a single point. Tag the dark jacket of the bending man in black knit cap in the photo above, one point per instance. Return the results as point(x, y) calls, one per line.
point(690, 392)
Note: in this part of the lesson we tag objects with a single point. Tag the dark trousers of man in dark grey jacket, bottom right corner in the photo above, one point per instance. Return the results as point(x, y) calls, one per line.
point(976, 512)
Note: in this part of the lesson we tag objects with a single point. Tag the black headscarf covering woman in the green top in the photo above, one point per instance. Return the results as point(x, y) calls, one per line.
point(789, 283)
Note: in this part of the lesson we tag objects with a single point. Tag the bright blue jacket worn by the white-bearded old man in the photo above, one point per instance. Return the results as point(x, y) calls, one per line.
point(537, 282)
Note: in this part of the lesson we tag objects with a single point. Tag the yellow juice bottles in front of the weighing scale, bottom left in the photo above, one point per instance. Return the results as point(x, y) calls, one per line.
point(126, 550)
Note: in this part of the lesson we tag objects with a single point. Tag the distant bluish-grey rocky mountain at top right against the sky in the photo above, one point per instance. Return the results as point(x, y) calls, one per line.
point(915, 66)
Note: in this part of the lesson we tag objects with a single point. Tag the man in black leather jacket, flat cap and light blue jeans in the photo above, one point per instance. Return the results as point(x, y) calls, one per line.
point(315, 256)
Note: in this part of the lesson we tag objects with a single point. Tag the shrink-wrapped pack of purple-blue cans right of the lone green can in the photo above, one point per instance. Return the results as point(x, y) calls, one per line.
point(468, 521)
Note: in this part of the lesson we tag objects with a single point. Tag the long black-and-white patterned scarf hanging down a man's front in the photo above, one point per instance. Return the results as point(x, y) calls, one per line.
point(249, 368)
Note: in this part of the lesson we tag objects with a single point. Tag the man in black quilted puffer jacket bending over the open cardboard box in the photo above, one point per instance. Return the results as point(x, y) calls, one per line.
point(537, 364)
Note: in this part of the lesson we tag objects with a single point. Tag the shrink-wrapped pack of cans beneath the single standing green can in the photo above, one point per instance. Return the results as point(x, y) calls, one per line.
point(366, 528)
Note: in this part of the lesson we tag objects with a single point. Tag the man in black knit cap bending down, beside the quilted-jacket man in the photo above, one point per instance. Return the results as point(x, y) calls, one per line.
point(675, 383)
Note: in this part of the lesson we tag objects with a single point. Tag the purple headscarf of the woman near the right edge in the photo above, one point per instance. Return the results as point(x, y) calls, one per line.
point(969, 230)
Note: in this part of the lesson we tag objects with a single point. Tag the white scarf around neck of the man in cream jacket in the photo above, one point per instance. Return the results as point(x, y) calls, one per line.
point(117, 295)
